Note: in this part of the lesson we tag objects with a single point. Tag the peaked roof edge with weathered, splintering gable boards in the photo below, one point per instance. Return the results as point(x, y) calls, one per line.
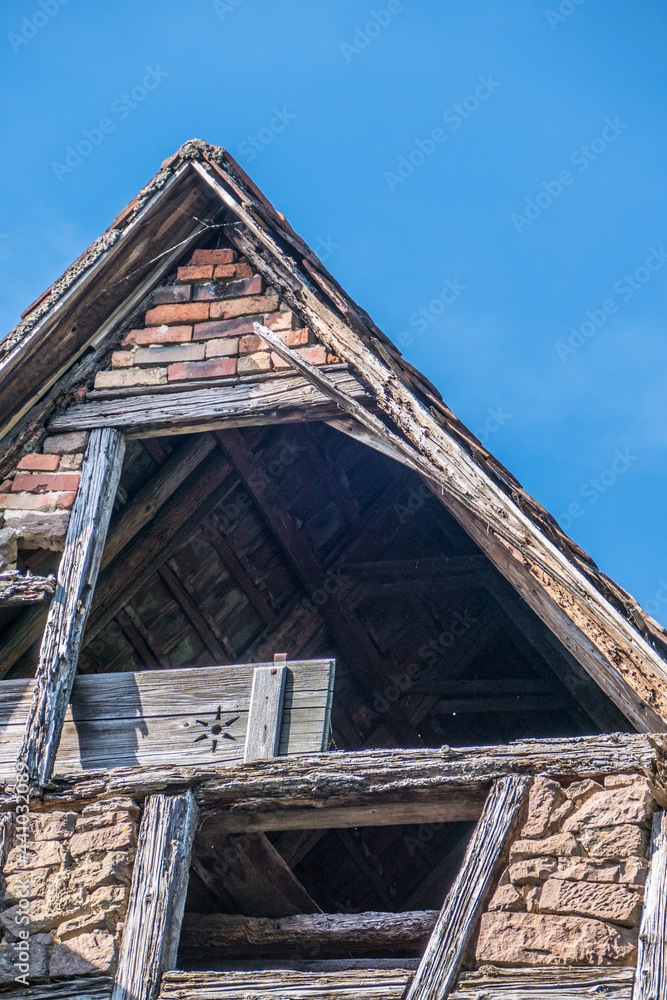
point(201, 194)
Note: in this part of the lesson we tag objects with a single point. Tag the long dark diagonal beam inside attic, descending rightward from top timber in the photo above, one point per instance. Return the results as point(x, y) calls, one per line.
point(350, 635)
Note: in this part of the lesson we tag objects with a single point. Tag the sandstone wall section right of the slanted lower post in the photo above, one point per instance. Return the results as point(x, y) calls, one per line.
point(573, 890)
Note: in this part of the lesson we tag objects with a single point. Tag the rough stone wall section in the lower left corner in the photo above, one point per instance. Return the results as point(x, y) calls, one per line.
point(72, 879)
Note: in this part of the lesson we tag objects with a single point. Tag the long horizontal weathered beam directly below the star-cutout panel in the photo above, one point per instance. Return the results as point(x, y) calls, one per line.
point(269, 795)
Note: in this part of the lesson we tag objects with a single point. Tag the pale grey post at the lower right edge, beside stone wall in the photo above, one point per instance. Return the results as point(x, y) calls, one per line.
point(651, 976)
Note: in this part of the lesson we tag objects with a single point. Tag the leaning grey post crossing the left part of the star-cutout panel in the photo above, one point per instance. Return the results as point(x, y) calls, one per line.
point(69, 607)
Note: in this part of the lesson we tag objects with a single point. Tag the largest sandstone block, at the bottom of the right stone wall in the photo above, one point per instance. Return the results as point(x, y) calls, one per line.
point(518, 939)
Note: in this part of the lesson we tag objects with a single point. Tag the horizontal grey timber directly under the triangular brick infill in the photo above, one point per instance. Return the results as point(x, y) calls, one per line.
point(277, 400)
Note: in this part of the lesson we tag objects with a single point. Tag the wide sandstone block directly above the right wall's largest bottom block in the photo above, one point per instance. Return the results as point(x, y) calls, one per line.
point(614, 903)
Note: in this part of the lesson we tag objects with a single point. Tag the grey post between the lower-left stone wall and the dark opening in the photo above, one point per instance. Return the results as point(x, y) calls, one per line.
point(157, 896)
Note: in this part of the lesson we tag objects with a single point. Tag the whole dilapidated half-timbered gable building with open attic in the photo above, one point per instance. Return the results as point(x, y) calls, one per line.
point(301, 693)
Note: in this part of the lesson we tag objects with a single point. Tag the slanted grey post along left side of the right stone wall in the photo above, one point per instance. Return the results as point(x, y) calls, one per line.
point(436, 975)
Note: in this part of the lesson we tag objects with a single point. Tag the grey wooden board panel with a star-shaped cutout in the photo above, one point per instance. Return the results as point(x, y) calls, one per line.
point(188, 716)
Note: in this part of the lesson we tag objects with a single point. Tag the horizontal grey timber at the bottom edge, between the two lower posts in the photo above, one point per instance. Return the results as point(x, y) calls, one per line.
point(369, 984)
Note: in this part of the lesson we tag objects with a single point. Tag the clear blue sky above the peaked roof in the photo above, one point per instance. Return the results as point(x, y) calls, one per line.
point(484, 176)
